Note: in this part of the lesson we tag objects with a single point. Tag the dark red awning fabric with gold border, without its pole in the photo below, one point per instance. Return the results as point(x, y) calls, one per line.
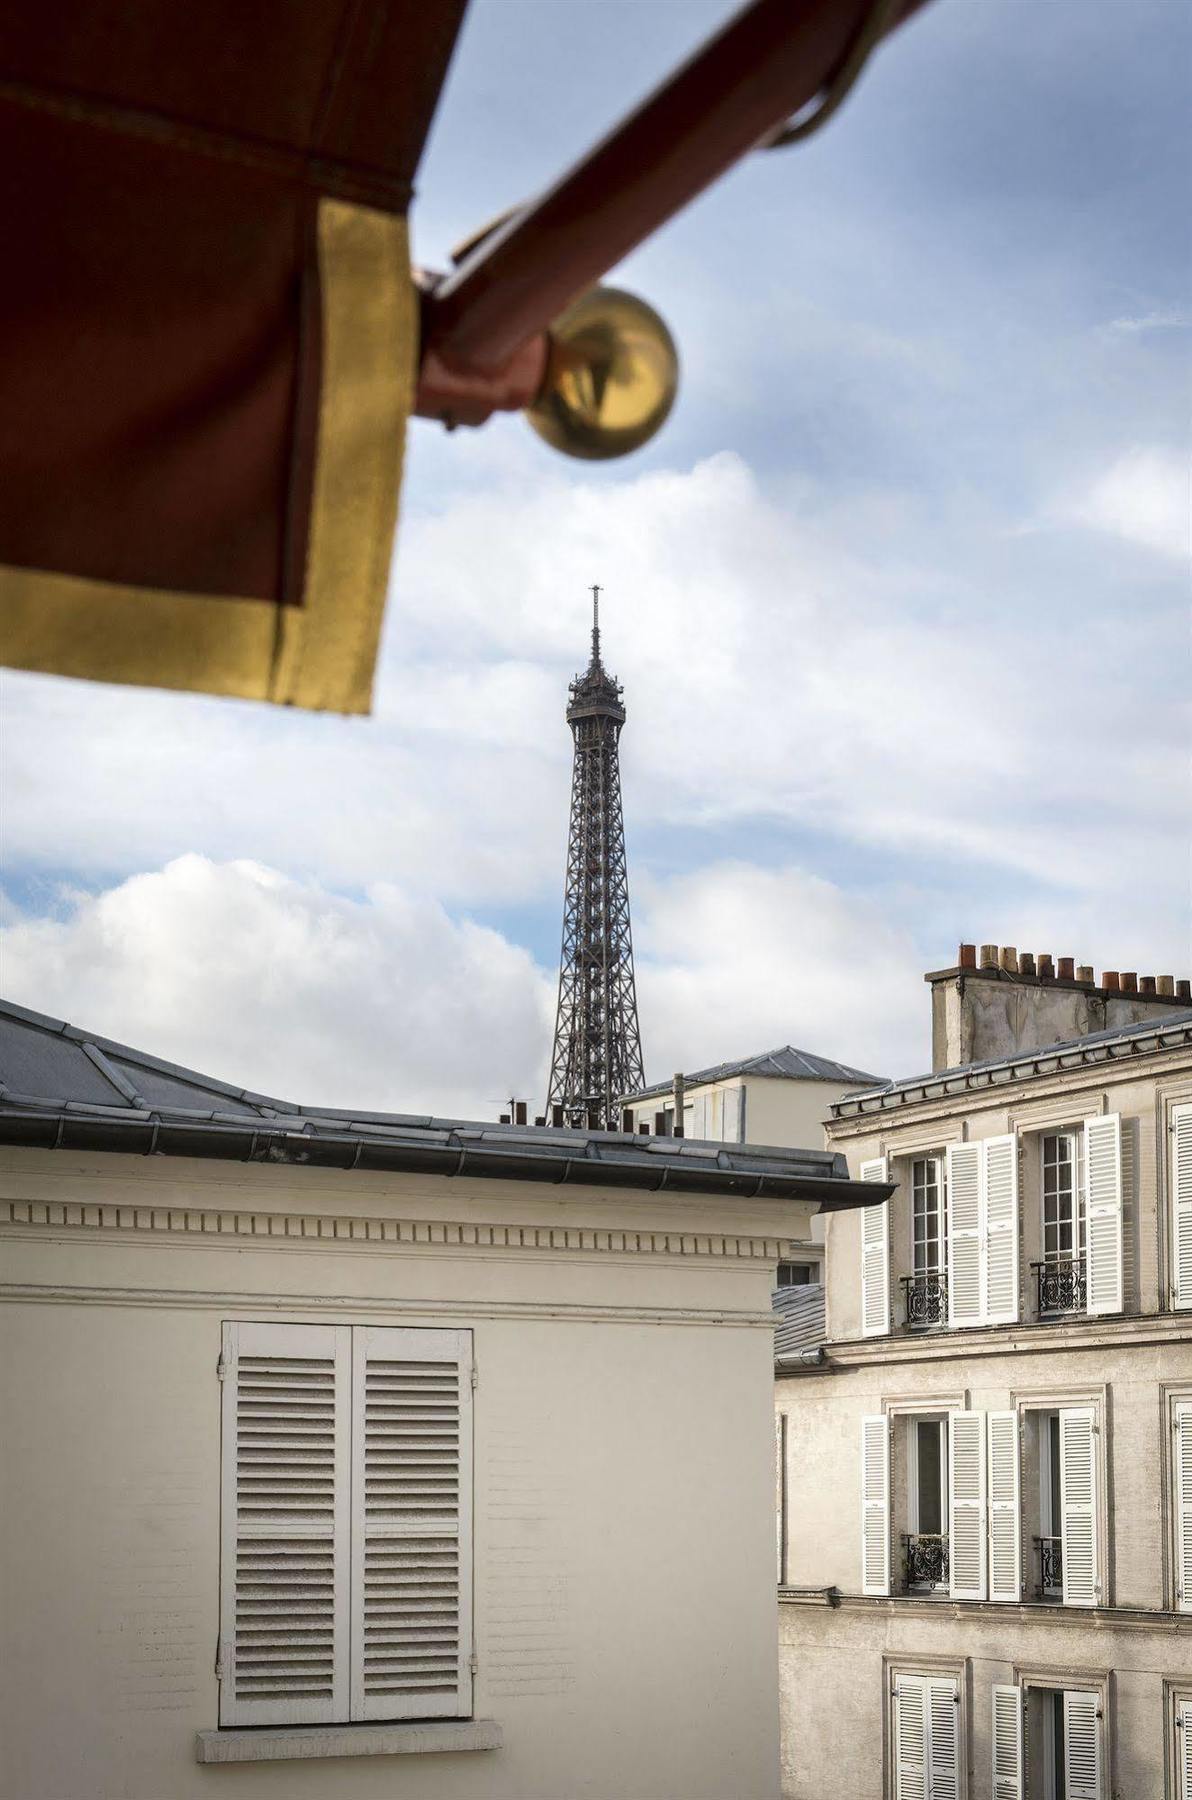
point(208, 336)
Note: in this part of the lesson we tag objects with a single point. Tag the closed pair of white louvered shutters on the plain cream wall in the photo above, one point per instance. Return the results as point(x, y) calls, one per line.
point(345, 1524)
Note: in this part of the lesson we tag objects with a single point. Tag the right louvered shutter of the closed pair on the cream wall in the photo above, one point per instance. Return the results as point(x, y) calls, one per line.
point(411, 1551)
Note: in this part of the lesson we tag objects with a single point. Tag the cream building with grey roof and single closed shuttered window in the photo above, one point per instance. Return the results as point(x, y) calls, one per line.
point(437, 1450)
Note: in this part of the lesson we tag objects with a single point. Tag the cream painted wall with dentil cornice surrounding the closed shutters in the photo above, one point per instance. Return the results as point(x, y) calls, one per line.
point(624, 1466)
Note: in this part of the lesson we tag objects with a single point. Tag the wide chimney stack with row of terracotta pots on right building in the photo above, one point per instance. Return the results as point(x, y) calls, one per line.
point(1000, 1002)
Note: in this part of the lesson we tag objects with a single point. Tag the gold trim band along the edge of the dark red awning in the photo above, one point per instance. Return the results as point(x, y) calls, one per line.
point(321, 654)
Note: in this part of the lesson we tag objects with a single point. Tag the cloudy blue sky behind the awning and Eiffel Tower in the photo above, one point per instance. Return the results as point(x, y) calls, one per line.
point(899, 600)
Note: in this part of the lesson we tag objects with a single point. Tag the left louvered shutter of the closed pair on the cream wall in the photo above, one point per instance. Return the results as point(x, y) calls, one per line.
point(285, 1525)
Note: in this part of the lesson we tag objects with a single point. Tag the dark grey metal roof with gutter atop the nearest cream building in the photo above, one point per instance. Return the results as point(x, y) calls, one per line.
point(64, 1088)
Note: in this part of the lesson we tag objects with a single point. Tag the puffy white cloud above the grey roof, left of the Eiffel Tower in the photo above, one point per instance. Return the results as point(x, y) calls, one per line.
point(284, 987)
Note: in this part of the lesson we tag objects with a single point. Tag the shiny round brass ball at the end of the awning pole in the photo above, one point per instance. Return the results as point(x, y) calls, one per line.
point(611, 377)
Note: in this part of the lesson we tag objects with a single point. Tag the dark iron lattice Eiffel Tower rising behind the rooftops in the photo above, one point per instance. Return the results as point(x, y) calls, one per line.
point(597, 1039)
